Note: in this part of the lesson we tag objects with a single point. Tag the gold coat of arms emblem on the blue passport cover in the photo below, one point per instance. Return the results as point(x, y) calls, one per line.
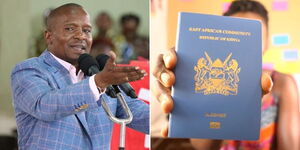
point(216, 77)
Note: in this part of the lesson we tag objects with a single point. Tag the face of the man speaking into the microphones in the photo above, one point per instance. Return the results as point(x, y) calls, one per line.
point(70, 35)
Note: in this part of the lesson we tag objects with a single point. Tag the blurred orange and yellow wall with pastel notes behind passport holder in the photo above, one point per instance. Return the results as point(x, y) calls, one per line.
point(284, 33)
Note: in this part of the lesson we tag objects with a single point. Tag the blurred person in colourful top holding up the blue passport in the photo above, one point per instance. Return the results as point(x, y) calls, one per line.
point(280, 114)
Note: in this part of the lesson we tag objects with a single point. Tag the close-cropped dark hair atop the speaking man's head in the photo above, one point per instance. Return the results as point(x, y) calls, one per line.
point(61, 10)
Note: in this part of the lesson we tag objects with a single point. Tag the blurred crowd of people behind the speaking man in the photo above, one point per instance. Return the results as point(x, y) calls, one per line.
point(125, 41)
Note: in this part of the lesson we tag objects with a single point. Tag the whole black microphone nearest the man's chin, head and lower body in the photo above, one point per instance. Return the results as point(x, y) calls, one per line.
point(89, 67)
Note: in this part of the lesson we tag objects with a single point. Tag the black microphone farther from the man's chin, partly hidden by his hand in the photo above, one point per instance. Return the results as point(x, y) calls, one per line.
point(125, 87)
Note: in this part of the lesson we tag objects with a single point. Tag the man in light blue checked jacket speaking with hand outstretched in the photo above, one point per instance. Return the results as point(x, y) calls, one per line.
point(56, 106)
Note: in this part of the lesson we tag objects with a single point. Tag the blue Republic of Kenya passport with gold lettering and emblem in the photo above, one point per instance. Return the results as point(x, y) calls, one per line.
point(217, 94)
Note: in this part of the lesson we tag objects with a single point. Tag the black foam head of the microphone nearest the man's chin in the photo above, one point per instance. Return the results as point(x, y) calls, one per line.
point(85, 61)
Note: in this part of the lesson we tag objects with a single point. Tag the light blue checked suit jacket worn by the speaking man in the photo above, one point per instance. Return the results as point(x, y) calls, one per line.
point(53, 113)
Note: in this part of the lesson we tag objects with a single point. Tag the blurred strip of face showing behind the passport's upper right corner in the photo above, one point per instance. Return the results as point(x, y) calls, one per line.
point(255, 16)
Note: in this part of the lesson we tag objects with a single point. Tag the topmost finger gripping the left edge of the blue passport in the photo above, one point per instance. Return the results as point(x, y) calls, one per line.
point(170, 58)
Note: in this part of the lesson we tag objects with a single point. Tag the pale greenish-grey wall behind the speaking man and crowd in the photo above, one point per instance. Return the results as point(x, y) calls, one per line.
point(21, 22)
